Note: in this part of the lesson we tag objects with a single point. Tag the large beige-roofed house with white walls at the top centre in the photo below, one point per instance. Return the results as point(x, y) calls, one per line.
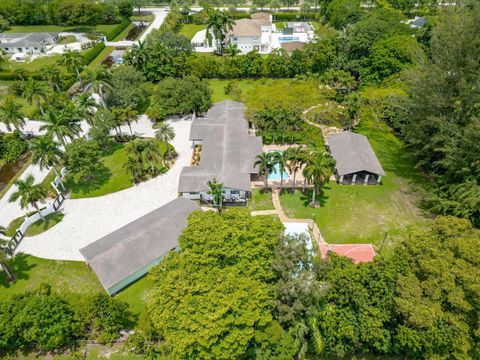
point(252, 34)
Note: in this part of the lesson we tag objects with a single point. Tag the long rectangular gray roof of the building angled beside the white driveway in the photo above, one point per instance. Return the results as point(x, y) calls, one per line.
point(132, 247)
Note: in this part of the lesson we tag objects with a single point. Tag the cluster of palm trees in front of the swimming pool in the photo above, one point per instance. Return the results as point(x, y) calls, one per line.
point(317, 167)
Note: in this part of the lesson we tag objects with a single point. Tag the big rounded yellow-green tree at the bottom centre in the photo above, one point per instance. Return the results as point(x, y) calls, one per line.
point(213, 299)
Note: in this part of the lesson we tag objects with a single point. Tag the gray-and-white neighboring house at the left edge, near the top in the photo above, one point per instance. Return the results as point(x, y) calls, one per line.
point(29, 43)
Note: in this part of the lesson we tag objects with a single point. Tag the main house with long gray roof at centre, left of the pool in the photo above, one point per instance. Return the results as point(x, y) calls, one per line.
point(228, 154)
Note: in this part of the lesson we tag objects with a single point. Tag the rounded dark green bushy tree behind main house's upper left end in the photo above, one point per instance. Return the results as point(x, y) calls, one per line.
point(179, 97)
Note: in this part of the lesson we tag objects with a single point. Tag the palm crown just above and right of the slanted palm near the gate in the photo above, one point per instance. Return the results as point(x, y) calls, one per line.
point(60, 124)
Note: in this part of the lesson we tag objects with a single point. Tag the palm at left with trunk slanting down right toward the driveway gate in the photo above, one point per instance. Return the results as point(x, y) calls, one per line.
point(46, 152)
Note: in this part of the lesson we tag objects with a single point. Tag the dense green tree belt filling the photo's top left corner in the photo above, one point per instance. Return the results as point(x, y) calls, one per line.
point(63, 12)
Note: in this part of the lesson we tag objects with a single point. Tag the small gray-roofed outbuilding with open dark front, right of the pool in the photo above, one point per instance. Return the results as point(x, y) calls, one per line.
point(356, 162)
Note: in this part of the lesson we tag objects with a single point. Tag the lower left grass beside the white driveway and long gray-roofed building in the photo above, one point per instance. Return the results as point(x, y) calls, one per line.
point(68, 279)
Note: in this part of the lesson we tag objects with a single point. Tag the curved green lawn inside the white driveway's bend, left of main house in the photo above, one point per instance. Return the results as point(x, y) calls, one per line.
point(110, 178)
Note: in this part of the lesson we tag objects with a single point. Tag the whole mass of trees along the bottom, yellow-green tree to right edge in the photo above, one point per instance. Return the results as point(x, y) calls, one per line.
point(238, 289)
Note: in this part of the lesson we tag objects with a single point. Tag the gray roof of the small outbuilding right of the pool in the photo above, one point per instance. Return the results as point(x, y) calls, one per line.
point(353, 153)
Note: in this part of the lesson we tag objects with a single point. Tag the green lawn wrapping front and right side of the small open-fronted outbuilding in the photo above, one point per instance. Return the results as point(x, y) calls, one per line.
point(362, 214)
